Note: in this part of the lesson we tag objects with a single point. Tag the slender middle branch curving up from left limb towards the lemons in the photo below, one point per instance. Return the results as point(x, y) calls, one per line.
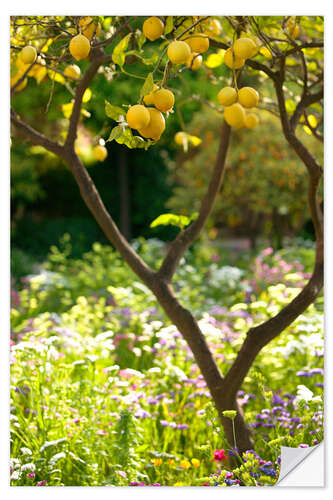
point(179, 246)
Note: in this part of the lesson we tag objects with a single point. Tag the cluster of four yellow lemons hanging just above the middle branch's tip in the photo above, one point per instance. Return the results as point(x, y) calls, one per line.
point(236, 103)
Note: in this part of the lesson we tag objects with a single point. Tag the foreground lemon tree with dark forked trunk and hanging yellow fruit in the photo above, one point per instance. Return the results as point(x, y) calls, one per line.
point(287, 51)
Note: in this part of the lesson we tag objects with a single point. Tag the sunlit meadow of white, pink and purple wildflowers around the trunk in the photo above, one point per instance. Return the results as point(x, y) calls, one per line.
point(104, 390)
